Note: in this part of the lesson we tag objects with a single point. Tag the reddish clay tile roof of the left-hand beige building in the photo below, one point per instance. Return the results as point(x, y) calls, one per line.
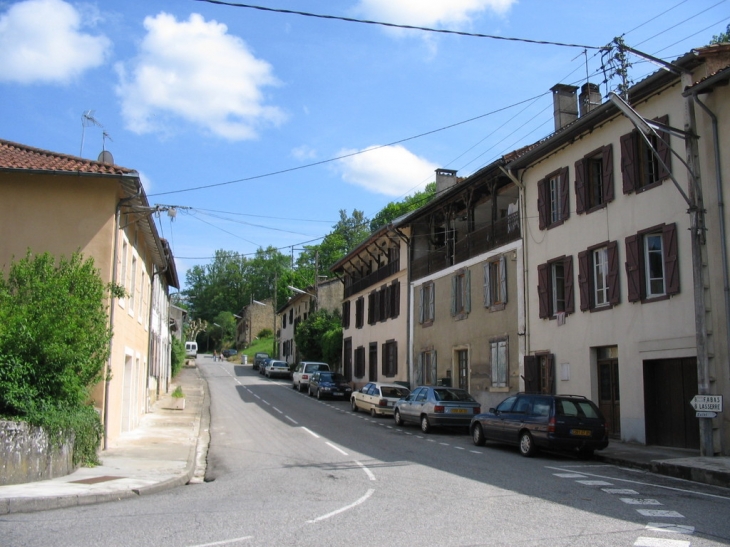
point(20, 156)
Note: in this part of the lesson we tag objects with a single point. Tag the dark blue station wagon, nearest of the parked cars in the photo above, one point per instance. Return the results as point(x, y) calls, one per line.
point(556, 422)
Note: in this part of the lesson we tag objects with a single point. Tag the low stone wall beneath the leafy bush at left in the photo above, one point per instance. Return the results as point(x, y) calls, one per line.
point(27, 455)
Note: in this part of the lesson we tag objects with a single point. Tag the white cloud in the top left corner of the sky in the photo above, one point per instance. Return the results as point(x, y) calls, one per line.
point(41, 41)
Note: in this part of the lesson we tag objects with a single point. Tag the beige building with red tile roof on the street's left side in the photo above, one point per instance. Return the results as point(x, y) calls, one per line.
point(60, 204)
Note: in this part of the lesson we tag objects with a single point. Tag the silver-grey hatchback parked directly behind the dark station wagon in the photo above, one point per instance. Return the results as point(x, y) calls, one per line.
point(436, 406)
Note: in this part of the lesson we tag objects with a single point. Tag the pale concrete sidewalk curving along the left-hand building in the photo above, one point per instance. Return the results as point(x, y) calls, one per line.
point(159, 454)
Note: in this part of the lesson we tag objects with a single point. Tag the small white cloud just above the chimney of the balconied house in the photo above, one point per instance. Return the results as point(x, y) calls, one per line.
point(391, 170)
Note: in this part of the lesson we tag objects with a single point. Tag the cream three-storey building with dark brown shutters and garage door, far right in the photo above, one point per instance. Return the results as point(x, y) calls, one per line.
point(609, 270)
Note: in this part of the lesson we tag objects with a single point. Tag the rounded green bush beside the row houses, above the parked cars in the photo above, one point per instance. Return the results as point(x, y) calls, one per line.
point(317, 337)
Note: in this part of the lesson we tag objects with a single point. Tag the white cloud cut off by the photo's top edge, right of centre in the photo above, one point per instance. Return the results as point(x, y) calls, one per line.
point(431, 12)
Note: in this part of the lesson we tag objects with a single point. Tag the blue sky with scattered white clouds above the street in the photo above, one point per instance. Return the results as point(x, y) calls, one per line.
point(193, 94)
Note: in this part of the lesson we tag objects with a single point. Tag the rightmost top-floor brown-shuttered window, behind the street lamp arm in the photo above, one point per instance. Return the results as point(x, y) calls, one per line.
point(640, 168)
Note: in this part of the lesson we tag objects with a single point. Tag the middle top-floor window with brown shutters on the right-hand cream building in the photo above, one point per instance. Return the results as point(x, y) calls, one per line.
point(594, 180)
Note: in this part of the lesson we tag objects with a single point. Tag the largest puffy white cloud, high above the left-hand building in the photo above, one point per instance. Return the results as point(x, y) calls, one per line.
point(195, 71)
